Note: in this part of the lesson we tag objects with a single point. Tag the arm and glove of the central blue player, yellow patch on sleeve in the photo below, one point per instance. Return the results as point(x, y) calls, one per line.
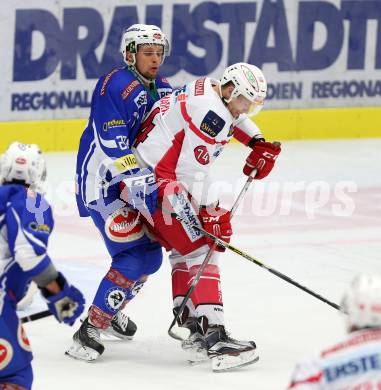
point(120, 117)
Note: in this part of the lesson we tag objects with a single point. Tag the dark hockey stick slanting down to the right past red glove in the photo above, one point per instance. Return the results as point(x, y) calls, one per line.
point(280, 275)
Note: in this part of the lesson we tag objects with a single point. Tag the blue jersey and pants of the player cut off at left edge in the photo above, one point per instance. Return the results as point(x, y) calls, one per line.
point(25, 225)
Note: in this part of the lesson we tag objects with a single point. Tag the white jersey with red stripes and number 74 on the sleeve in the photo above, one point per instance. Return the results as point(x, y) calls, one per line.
point(185, 132)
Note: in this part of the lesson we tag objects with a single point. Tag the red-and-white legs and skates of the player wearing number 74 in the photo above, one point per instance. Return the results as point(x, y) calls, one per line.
point(204, 314)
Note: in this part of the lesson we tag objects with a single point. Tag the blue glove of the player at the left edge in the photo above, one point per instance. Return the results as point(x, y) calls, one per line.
point(68, 304)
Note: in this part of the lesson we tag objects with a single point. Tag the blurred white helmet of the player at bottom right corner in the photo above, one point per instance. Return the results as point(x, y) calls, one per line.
point(362, 302)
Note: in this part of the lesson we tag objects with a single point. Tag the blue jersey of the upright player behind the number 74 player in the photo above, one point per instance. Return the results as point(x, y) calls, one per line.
point(119, 103)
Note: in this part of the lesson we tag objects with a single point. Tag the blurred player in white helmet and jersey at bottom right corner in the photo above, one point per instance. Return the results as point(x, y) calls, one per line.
point(355, 362)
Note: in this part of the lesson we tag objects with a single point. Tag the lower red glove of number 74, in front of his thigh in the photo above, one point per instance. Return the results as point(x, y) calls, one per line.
point(217, 222)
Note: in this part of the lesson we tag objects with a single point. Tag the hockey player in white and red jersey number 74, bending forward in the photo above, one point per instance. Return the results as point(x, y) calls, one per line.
point(180, 139)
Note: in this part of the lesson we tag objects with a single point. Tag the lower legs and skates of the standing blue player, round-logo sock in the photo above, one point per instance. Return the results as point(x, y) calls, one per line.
point(124, 279)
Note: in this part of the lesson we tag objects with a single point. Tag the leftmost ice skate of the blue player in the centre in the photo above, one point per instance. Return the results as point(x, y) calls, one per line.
point(86, 345)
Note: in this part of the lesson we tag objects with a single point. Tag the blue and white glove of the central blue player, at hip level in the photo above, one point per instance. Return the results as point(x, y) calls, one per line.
point(139, 190)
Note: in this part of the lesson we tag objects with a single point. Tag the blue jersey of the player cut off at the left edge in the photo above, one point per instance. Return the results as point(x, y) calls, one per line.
point(26, 222)
